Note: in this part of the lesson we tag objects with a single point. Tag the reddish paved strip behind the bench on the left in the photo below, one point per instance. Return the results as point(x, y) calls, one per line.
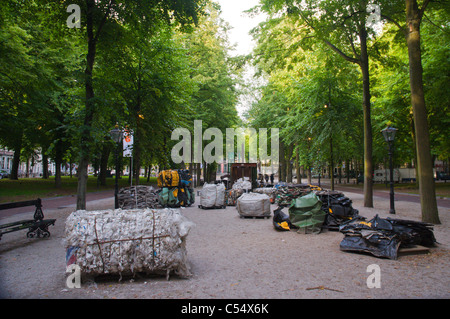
point(56, 202)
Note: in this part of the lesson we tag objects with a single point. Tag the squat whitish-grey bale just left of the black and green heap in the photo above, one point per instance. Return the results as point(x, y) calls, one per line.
point(253, 205)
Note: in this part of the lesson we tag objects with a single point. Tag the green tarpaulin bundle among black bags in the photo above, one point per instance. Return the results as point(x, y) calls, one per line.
point(306, 213)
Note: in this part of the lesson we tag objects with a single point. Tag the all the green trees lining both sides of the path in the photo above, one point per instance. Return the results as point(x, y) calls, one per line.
point(331, 82)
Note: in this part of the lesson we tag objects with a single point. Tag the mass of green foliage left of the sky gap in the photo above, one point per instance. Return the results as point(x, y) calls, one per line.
point(158, 66)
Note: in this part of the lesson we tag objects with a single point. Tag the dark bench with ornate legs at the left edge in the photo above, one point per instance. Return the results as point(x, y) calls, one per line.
point(37, 227)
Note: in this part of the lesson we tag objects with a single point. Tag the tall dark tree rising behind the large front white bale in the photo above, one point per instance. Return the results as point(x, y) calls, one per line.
point(95, 15)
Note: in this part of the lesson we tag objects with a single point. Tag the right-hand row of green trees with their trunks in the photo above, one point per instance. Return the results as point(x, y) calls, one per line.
point(302, 50)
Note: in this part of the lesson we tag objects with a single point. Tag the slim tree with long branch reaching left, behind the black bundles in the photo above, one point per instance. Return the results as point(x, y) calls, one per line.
point(342, 26)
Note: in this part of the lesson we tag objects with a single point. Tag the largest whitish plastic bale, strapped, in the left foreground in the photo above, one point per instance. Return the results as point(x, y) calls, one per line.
point(128, 241)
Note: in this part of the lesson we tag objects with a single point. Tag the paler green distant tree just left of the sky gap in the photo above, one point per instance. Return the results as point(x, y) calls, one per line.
point(215, 74)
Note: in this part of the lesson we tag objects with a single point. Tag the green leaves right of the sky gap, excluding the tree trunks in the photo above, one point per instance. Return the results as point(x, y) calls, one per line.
point(303, 75)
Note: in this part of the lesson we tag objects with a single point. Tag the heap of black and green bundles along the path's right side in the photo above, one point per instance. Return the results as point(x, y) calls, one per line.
point(379, 237)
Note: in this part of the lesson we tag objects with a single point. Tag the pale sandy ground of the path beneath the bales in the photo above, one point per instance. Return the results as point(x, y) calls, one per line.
point(235, 258)
